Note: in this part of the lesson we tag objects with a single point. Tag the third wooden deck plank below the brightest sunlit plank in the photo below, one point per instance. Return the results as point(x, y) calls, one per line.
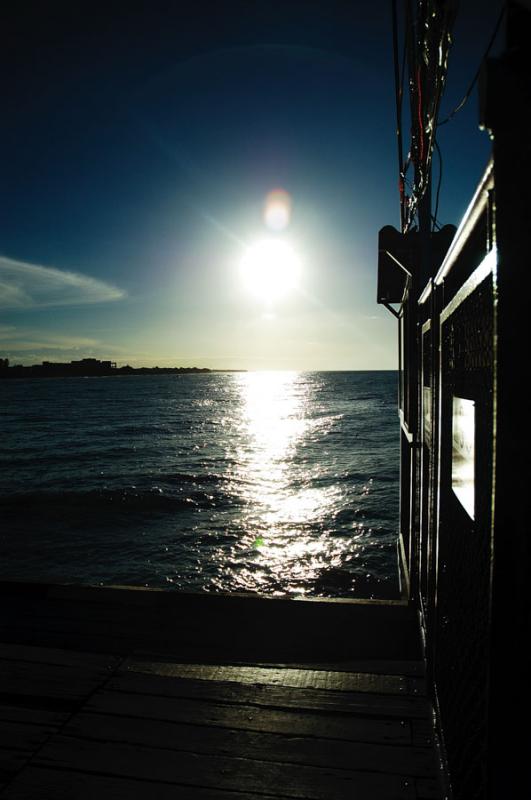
point(292, 748)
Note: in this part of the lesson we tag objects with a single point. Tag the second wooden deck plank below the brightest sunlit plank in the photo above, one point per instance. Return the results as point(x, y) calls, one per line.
point(248, 717)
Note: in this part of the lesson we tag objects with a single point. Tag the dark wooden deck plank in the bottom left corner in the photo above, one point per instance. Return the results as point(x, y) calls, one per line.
point(37, 783)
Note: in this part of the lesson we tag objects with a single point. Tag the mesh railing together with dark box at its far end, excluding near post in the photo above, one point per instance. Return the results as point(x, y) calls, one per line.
point(447, 336)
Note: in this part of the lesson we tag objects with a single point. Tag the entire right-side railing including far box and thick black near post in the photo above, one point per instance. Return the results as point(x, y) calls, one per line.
point(464, 334)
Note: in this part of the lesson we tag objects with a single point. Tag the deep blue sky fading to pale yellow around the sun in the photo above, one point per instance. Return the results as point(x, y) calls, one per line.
point(139, 143)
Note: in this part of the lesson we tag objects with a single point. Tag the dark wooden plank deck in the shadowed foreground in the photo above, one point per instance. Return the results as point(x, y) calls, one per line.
point(99, 700)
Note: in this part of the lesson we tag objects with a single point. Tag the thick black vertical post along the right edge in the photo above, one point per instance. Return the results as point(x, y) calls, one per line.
point(507, 113)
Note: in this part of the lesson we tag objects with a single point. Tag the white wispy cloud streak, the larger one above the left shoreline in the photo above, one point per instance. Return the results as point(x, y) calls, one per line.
point(26, 285)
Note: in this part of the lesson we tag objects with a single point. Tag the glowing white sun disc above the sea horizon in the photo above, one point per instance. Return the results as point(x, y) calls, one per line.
point(270, 269)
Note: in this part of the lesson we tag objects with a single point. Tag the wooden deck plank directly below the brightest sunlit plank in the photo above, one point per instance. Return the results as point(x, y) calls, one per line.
point(392, 706)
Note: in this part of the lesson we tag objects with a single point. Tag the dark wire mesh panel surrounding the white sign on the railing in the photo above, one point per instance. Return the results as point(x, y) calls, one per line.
point(464, 558)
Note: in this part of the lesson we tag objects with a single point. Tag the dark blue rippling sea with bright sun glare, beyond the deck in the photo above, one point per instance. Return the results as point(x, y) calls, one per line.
point(283, 483)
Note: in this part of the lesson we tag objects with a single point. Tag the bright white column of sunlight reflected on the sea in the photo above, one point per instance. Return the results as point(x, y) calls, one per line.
point(275, 425)
